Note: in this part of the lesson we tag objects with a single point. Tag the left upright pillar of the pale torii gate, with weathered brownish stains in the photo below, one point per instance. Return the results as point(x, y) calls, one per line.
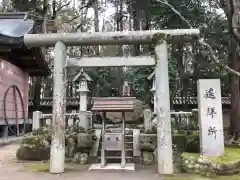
point(57, 157)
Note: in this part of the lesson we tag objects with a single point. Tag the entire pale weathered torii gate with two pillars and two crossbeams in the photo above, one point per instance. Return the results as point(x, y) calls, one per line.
point(160, 60)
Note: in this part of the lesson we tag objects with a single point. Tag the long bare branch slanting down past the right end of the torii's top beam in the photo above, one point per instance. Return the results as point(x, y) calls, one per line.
point(201, 40)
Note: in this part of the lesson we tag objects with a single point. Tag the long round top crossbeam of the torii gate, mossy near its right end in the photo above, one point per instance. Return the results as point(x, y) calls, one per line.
point(106, 38)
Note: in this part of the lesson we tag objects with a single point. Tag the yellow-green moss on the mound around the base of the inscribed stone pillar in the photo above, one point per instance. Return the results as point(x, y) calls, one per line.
point(231, 155)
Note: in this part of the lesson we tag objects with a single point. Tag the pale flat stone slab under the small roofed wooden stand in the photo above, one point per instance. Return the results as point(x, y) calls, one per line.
point(117, 166)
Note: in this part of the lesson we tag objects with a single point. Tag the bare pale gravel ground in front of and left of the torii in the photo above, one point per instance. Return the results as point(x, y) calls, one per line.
point(10, 169)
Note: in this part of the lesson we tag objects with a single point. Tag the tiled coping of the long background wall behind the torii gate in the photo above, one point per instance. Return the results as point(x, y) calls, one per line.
point(47, 102)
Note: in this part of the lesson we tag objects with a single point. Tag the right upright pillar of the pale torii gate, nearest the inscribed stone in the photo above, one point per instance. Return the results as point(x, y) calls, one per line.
point(164, 136)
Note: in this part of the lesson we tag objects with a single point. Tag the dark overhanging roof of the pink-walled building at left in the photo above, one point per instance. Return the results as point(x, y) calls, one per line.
point(13, 27)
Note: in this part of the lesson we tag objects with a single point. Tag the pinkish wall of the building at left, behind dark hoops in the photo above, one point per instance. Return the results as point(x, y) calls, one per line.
point(12, 75)
